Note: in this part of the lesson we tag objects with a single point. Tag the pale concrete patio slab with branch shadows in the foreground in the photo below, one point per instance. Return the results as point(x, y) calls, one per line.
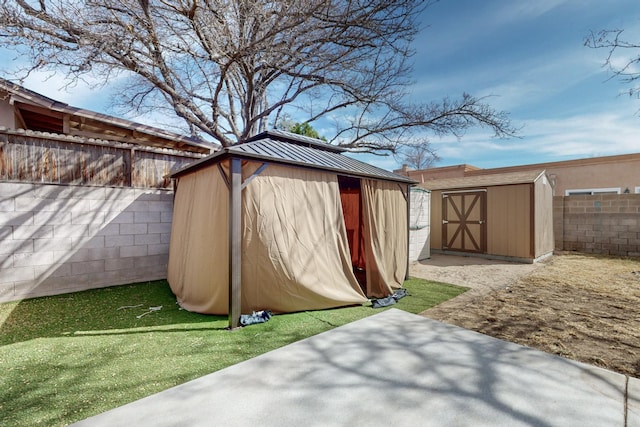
point(393, 368)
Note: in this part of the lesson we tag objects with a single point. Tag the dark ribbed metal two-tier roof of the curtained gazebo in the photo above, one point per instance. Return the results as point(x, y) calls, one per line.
point(296, 150)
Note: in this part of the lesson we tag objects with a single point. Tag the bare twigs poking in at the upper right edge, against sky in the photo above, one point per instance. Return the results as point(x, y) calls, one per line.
point(627, 71)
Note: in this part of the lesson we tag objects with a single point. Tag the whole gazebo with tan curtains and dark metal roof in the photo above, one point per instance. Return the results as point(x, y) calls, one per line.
point(285, 223)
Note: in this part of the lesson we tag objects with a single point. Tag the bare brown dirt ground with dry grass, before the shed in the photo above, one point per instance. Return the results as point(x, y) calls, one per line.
point(582, 307)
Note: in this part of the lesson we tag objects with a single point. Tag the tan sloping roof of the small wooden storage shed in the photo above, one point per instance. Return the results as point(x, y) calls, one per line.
point(483, 180)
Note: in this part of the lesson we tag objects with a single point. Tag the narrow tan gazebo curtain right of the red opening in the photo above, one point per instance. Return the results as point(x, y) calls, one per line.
point(385, 228)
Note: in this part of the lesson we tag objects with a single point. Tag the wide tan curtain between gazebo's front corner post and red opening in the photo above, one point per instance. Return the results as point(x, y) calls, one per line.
point(295, 250)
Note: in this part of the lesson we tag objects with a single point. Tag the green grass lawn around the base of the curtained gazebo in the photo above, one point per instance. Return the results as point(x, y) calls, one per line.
point(68, 357)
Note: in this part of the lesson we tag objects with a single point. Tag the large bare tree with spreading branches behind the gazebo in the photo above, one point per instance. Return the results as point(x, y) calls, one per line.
point(227, 68)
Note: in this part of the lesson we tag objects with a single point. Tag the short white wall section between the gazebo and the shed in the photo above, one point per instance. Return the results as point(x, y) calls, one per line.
point(419, 225)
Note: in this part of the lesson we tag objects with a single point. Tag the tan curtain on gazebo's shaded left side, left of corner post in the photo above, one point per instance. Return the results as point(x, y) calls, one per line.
point(198, 270)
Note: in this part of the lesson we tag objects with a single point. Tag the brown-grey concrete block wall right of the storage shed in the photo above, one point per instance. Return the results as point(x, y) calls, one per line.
point(600, 224)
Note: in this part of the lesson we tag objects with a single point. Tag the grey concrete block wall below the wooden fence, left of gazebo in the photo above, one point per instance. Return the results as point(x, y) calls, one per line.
point(60, 238)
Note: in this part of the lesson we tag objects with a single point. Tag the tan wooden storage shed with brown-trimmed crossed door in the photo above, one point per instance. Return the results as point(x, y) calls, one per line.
point(505, 216)
